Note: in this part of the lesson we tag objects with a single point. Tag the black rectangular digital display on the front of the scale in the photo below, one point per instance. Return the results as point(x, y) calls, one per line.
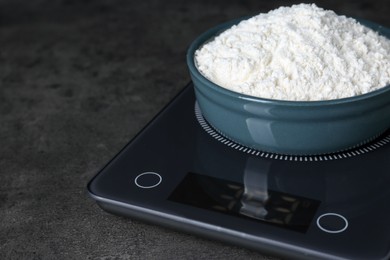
point(232, 198)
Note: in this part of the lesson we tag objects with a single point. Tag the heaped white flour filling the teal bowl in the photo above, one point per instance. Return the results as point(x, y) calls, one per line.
point(301, 53)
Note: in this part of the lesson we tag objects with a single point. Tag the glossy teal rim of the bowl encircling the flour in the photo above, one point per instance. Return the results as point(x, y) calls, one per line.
point(212, 32)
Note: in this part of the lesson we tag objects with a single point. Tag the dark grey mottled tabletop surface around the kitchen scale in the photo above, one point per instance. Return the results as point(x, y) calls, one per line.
point(78, 79)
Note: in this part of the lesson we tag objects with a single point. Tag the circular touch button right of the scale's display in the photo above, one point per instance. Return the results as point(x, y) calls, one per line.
point(332, 223)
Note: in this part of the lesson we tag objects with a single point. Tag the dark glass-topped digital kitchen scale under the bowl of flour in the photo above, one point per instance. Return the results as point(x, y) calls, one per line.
point(180, 172)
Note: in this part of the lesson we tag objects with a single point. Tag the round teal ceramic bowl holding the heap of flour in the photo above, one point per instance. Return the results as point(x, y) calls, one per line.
point(290, 127)
